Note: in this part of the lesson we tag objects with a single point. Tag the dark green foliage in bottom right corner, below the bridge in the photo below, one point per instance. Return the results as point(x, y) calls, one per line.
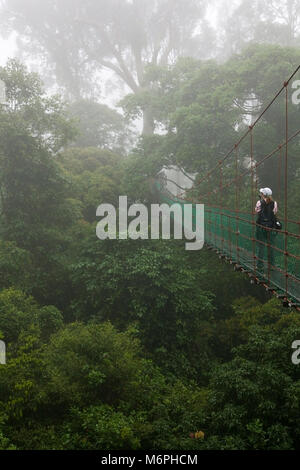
point(255, 397)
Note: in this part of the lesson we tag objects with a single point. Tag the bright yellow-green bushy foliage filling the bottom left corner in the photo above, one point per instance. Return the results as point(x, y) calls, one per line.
point(89, 388)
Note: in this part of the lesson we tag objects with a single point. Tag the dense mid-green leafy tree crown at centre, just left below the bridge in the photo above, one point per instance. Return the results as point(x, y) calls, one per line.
point(151, 286)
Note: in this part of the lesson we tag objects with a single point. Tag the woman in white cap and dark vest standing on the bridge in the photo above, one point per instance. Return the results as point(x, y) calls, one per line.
point(266, 209)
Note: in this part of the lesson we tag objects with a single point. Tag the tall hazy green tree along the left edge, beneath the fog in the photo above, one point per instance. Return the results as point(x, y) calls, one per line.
point(35, 211)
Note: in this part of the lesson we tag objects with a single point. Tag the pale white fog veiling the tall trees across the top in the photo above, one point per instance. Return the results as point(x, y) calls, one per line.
point(100, 50)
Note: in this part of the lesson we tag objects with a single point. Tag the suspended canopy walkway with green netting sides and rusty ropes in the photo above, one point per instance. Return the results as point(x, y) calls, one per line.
point(230, 192)
